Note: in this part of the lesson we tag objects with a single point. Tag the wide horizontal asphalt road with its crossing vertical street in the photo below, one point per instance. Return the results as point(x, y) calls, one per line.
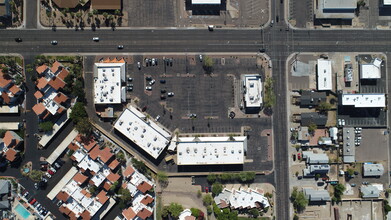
point(278, 41)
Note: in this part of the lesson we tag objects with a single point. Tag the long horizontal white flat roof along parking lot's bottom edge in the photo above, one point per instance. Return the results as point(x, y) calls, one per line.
point(211, 150)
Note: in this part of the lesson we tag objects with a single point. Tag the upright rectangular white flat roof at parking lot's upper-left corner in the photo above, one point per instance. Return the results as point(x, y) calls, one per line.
point(107, 82)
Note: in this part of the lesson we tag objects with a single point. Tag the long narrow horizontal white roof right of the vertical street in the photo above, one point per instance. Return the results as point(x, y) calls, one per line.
point(372, 100)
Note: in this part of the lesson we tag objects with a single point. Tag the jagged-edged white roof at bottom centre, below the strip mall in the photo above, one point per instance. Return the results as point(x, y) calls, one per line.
point(241, 199)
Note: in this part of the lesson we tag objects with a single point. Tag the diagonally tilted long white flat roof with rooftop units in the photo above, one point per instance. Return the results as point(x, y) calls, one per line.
point(143, 131)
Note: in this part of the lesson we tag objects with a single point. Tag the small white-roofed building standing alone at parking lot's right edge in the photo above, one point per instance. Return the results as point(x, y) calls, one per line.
point(253, 92)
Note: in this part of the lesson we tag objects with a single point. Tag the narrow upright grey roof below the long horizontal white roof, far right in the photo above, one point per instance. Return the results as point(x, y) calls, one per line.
point(349, 147)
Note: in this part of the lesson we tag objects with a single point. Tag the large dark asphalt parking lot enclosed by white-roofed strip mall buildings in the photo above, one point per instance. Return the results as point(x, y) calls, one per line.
point(208, 96)
